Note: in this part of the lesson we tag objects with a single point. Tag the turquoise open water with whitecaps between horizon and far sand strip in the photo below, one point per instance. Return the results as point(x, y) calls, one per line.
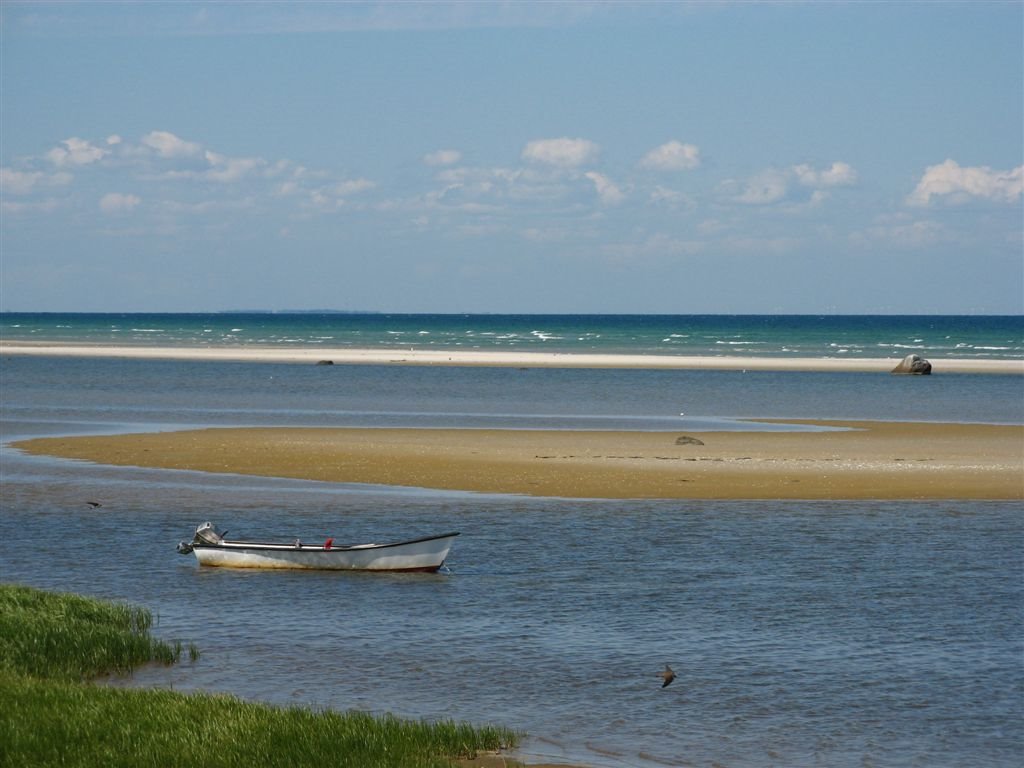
point(802, 336)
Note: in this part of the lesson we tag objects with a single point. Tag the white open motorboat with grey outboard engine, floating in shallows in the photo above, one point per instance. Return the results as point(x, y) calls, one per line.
point(423, 556)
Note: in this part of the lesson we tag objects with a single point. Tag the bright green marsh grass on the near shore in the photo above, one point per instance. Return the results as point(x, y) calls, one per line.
point(52, 645)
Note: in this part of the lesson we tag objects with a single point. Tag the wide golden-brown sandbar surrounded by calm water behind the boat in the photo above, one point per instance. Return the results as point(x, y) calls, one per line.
point(871, 460)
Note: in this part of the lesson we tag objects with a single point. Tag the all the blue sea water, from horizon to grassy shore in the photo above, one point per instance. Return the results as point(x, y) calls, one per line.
point(834, 633)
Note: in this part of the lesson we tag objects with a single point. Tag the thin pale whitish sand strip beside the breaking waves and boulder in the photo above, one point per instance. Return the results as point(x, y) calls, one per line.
point(501, 359)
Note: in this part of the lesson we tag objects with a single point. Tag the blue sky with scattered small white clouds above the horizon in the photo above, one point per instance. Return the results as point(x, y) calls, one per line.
point(514, 157)
